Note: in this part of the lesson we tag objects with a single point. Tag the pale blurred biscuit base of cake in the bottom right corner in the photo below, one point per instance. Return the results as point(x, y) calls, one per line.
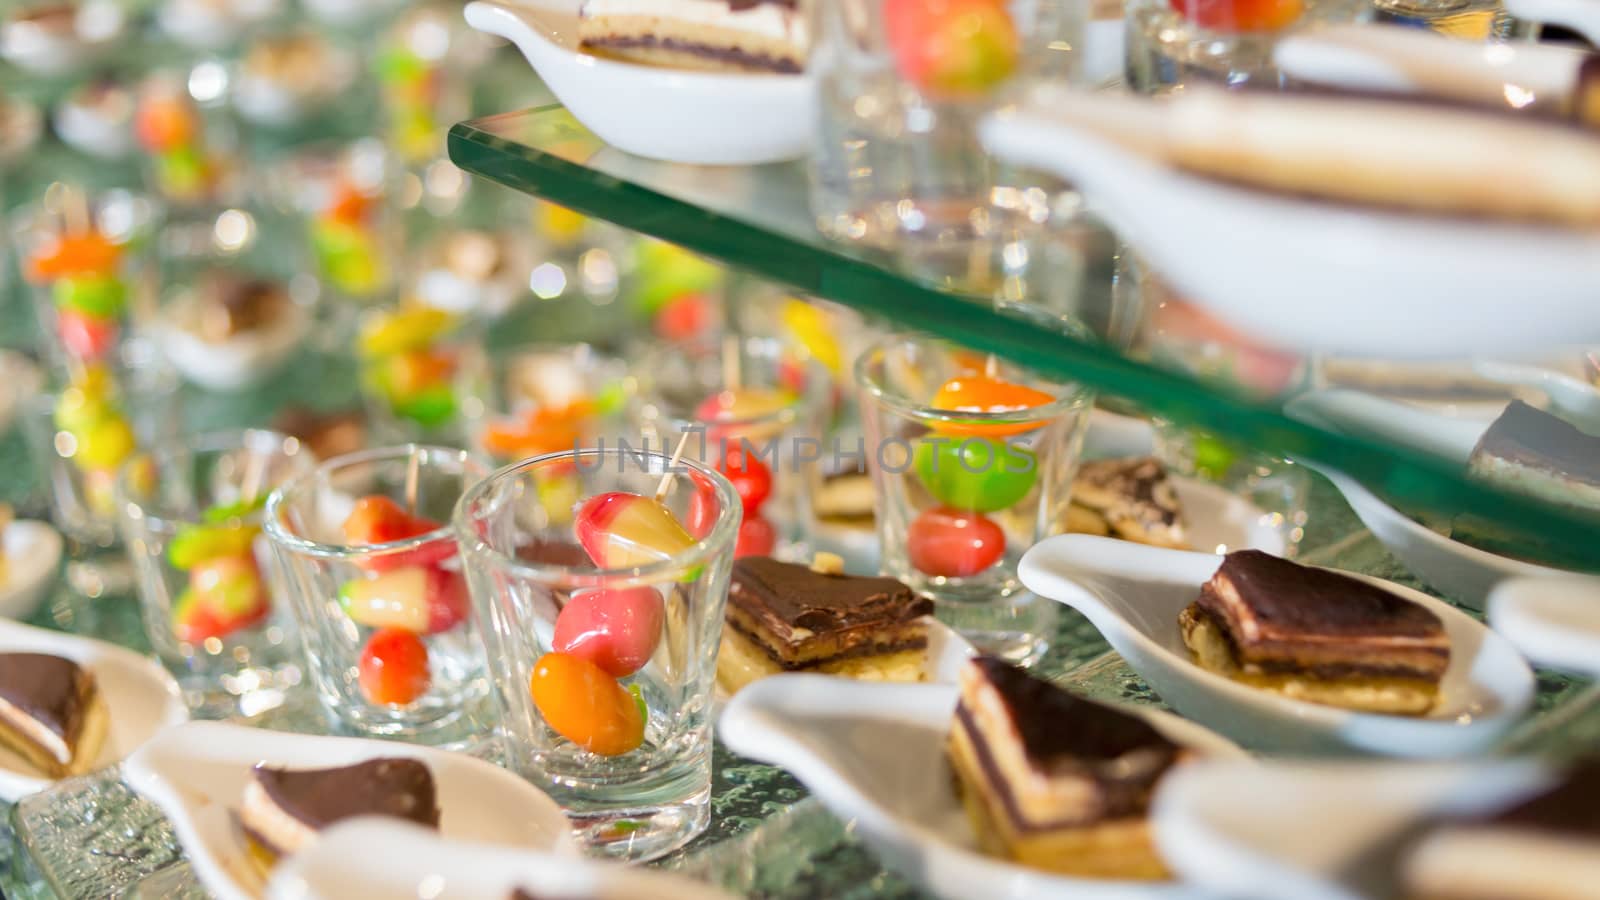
point(1502, 864)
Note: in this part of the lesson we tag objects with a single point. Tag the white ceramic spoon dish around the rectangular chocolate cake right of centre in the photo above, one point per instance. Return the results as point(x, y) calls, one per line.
point(1134, 595)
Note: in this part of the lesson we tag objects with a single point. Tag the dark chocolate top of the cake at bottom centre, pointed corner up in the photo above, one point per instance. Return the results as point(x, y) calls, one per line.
point(1058, 728)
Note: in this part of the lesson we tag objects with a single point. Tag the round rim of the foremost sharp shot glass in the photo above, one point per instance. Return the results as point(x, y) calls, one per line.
point(722, 532)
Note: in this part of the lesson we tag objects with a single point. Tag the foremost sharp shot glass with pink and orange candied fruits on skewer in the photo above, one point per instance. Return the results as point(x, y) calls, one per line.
point(606, 675)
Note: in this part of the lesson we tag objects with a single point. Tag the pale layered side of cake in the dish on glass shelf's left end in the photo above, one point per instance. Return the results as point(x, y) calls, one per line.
point(687, 46)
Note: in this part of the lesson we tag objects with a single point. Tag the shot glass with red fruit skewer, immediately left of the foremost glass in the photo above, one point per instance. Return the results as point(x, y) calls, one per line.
point(378, 593)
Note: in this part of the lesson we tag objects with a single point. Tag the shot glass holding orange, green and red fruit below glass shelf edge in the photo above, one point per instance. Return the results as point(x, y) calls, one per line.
point(972, 462)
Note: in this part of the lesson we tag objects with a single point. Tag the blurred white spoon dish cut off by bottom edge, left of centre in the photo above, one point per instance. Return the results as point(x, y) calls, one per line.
point(415, 862)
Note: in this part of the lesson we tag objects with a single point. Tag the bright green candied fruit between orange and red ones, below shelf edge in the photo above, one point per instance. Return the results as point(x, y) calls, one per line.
point(975, 473)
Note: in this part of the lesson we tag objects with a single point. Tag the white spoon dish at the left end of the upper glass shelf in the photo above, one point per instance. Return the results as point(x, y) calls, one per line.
point(650, 111)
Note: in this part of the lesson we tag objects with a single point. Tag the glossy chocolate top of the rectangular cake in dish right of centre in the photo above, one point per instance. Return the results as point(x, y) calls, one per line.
point(1290, 600)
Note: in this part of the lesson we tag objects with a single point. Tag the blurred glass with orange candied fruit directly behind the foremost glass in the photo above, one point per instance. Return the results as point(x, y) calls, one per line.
point(538, 400)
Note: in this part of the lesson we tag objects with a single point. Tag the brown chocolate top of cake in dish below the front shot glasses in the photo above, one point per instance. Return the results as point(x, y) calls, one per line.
point(402, 789)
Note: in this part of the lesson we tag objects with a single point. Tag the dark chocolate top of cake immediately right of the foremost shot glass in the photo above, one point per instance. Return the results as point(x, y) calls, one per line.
point(785, 597)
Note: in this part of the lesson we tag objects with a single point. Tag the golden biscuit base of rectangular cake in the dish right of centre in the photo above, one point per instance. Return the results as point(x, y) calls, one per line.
point(1362, 693)
